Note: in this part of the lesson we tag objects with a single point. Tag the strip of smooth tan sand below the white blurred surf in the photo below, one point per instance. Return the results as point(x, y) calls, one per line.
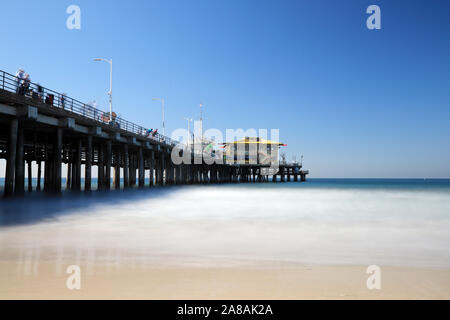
point(302, 282)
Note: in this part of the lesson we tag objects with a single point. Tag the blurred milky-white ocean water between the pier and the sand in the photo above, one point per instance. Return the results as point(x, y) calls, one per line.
point(395, 222)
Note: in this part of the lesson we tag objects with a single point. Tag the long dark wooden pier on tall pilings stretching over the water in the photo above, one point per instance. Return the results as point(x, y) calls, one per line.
point(51, 131)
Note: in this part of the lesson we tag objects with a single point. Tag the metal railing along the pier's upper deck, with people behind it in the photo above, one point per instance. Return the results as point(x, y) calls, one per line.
point(39, 93)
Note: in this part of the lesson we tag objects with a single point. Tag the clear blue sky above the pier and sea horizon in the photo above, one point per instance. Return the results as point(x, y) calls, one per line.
point(355, 102)
